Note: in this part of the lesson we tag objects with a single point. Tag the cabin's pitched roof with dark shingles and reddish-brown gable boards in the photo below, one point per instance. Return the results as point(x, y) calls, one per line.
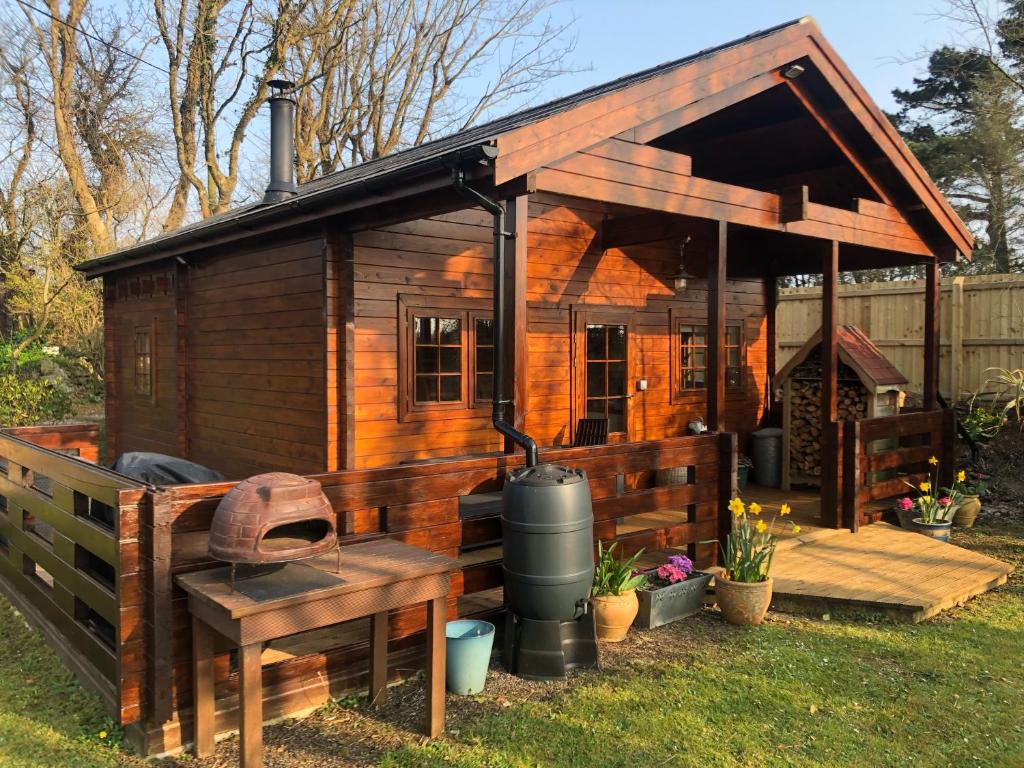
point(524, 131)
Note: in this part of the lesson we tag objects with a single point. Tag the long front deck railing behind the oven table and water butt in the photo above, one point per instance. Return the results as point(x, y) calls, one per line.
point(418, 504)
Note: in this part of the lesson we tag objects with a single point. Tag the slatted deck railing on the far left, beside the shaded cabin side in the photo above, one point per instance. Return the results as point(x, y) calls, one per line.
point(70, 558)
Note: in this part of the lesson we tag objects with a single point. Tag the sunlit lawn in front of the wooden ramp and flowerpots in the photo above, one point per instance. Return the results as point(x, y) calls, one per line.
point(794, 693)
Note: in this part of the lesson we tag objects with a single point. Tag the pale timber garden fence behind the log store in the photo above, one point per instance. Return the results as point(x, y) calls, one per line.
point(982, 325)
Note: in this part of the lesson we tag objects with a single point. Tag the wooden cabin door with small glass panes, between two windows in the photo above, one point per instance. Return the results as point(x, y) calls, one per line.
point(603, 366)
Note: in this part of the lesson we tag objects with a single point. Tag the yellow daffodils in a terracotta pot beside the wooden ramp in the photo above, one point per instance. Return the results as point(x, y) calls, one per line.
point(744, 591)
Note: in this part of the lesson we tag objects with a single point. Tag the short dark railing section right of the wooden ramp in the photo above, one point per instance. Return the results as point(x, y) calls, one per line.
point(881, 456)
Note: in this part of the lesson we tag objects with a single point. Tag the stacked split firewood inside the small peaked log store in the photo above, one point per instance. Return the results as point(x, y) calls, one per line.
point(805, 415)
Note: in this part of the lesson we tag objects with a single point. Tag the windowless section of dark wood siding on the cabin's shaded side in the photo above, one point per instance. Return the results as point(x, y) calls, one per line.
point(257, 350)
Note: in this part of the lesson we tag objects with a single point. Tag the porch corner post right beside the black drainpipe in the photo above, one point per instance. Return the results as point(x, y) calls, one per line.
point(518, 220)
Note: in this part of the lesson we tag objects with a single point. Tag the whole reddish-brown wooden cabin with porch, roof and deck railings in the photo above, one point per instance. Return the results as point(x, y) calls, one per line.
point(348, 331)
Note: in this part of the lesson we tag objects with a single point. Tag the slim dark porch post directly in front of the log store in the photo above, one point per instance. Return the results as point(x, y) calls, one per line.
point(831, 515)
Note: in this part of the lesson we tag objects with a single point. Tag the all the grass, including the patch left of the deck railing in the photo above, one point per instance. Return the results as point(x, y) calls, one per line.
point(793, 693)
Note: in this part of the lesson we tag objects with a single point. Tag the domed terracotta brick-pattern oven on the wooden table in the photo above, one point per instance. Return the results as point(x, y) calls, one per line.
point(274, 518)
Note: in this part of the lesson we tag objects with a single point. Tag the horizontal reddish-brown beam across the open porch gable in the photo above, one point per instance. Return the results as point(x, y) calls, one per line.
point(653, 189)
